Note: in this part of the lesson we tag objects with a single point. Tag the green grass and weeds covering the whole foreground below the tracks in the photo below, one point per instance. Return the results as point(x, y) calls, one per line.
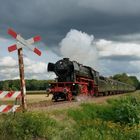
point(118, 119)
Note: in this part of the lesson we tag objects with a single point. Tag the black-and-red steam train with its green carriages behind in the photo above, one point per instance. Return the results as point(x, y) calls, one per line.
point(74, 78)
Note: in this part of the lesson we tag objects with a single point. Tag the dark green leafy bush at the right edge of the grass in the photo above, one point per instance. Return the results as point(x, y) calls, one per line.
point(126, 110)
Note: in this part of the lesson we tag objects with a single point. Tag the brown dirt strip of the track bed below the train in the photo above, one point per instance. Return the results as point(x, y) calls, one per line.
point(47, 105)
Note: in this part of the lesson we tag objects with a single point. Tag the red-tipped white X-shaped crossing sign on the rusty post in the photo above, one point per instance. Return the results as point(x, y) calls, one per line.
point(22, 43)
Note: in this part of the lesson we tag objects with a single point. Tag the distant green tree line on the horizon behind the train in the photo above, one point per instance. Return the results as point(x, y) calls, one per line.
point(33, 84)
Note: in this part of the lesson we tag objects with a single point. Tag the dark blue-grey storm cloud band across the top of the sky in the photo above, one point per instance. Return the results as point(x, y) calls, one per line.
point(53, 19)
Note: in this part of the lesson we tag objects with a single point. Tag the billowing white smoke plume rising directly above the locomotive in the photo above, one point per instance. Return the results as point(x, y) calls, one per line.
point(79, 46)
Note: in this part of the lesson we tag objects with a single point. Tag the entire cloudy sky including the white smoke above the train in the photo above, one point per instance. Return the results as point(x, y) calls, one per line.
point(104, 34)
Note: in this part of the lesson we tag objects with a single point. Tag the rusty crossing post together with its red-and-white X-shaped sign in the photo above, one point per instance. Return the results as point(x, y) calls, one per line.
point(21, 43)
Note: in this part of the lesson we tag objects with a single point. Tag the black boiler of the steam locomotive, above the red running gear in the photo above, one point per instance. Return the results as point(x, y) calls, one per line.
point(68, 71)
